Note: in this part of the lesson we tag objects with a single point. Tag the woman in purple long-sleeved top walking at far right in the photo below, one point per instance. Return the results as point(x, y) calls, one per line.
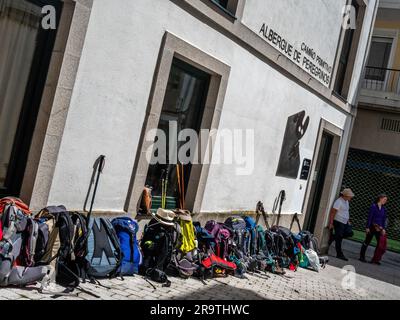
point(376, 225)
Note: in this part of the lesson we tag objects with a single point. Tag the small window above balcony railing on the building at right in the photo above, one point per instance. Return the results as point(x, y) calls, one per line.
point(379, 57)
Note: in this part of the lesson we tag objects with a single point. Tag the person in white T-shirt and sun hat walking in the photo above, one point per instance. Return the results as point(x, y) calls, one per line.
point(339, 220)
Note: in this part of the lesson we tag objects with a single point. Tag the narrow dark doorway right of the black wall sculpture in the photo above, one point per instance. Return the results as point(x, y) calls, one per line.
point(318, 181)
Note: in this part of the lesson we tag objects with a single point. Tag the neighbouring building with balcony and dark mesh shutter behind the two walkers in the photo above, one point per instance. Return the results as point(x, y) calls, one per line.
point(373, 164)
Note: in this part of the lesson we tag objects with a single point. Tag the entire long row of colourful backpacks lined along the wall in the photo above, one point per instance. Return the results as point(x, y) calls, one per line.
point(70, 247)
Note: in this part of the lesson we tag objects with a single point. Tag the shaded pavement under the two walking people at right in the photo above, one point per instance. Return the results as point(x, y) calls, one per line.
point(388, 271)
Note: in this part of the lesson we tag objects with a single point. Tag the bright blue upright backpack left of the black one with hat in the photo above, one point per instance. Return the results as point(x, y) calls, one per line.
point(126, 229)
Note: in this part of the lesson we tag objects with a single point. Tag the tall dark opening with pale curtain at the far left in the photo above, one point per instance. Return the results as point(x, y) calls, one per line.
point(24, 62)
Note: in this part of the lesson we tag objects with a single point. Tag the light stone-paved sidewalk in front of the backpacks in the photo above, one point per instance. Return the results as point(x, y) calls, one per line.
point(302, 285)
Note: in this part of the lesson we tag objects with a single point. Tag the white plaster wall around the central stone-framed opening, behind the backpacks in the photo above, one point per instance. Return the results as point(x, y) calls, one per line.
point(112, 89)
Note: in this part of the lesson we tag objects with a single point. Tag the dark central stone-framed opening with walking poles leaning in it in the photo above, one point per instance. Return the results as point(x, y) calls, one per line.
point(183, 105)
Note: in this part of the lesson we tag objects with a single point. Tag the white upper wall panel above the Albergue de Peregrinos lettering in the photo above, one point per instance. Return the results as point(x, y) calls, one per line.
point(282, 16)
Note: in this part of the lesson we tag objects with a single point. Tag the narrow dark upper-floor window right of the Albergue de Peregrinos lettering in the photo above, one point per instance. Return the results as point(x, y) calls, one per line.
point(349, 49)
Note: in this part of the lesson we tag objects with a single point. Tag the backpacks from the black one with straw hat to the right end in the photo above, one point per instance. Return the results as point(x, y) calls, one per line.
point(174, 245)
